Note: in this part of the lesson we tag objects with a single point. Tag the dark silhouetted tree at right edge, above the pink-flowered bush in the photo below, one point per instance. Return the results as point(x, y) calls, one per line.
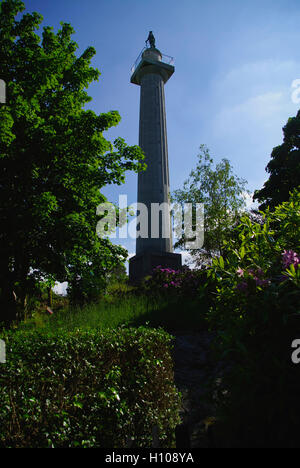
point(284, 168)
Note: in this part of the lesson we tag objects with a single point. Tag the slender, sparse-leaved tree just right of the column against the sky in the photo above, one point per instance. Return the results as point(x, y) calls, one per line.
point(222, 194)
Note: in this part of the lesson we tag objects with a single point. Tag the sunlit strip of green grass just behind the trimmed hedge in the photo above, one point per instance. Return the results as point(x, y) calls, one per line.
point(170, 313)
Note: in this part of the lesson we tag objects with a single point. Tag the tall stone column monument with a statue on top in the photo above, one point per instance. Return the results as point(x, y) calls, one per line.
point(154, 245)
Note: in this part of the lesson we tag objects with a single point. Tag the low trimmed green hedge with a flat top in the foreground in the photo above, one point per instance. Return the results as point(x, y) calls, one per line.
point(87, 389)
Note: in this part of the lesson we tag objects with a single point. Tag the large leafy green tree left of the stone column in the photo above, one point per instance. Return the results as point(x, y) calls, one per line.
point(54, 160)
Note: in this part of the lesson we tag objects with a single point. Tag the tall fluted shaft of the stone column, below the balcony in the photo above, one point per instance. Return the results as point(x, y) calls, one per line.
point(153, 184)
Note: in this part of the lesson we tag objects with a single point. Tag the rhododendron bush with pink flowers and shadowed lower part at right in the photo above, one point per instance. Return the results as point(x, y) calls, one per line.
point(256, 314)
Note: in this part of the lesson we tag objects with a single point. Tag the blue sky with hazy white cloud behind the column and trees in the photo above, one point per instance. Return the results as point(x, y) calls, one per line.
point(235, 62)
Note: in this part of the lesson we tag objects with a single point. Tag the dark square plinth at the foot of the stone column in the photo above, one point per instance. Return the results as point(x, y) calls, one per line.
point(142, 265)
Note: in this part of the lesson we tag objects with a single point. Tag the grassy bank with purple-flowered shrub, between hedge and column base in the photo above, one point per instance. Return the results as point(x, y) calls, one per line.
point(158, 302)
